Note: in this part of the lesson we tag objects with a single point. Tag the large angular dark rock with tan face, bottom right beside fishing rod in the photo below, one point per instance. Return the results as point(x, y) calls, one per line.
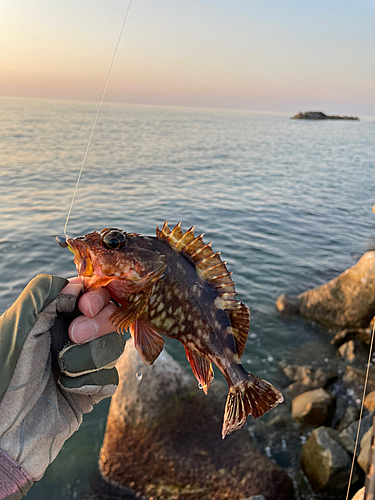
point(325, 463)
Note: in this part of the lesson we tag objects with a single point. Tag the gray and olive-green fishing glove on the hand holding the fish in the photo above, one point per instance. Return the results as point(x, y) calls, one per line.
point(43, 392)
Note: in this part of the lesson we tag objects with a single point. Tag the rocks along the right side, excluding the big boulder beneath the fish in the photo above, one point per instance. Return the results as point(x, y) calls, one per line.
point(325, 401)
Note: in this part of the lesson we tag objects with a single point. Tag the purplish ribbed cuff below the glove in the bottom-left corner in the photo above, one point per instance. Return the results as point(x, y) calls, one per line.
point(14, 480)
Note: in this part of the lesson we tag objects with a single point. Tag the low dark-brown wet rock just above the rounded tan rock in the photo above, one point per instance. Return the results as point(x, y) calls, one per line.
point(306, 378)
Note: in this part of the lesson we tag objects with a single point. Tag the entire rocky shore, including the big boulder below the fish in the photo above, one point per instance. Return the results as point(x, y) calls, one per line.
point(163, 441)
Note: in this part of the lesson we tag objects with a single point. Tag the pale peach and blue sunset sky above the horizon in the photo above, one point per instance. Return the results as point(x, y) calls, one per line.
point(274, 55)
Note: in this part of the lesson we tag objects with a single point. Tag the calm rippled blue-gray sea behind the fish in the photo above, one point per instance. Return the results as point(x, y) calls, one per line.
point(287, 202)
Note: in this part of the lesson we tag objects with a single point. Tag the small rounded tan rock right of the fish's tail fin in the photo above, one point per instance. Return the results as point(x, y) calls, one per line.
point(314, 407)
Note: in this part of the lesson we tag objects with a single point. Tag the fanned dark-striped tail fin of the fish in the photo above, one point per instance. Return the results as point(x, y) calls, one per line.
point(253, 396)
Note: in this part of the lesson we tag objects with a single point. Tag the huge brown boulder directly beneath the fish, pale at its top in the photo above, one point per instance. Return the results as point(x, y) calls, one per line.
point(163, 439)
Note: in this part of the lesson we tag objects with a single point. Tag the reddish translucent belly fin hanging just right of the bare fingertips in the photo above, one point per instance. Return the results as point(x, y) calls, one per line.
point(147, 341)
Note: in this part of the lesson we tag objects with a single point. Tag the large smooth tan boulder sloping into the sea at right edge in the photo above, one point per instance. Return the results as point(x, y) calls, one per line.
point(347, 301)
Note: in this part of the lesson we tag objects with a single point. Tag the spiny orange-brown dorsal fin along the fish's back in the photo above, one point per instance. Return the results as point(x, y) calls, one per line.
point(213, 270)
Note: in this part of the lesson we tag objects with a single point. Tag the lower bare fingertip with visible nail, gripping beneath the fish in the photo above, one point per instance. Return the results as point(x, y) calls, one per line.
point(83, 329)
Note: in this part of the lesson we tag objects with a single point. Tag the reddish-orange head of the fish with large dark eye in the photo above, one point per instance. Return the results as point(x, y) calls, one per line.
point(114, 258)
